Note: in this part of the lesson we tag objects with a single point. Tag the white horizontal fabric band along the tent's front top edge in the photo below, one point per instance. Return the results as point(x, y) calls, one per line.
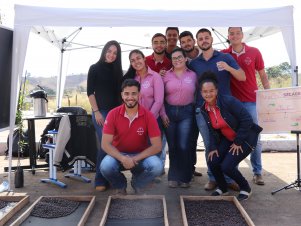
point(33, 15)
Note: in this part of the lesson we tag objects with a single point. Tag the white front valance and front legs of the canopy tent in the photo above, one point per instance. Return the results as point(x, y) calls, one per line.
point(27, 17)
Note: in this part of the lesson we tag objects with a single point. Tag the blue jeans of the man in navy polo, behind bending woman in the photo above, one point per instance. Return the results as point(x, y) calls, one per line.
point(204, 131)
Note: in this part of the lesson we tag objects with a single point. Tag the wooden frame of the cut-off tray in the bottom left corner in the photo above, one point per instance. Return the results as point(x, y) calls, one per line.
point(21, 202)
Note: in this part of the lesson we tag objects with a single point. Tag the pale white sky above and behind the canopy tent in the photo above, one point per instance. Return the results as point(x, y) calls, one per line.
point(45, 63)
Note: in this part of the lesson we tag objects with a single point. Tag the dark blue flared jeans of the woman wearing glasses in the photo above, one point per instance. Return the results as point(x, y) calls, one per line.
point(178, 136)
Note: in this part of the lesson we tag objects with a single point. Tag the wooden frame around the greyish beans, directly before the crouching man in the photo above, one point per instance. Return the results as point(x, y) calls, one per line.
point(134, 197)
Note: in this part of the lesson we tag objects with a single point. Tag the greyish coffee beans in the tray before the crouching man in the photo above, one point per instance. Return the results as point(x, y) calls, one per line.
point(135, 209)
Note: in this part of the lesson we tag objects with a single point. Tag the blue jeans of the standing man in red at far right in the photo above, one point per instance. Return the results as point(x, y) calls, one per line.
point(256, 154)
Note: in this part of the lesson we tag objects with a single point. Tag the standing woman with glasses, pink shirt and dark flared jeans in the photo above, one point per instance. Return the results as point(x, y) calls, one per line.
point(180, 85)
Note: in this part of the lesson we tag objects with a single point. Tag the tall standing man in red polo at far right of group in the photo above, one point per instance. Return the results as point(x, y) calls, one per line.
point(250, 60)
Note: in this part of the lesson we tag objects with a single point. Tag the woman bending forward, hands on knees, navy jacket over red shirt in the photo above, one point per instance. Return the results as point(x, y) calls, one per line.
point(233, 135)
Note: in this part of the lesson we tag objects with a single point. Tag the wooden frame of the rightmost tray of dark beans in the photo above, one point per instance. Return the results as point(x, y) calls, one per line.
point(232, 199)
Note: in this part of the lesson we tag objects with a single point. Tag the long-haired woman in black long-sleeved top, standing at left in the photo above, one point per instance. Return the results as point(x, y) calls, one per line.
point(103, 90)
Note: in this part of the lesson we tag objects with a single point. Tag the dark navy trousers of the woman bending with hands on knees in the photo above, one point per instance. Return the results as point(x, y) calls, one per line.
point(226, 164)
